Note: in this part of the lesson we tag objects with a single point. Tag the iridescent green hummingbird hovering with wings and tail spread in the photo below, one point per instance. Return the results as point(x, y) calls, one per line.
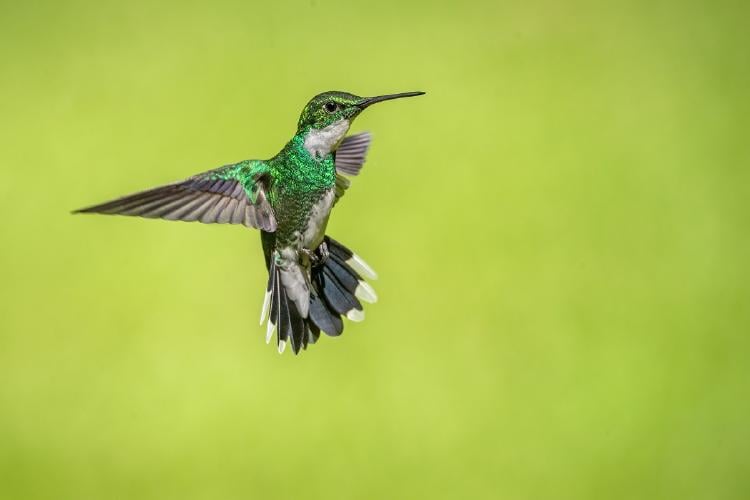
point(313, 280)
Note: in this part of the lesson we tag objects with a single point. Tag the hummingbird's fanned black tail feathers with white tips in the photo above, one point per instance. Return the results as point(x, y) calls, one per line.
point(337, 288)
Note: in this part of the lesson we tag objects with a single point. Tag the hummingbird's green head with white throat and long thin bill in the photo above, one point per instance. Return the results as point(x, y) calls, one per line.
point(327, 117)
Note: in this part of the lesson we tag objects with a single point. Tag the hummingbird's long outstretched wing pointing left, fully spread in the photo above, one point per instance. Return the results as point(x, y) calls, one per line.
point(234, 194)
